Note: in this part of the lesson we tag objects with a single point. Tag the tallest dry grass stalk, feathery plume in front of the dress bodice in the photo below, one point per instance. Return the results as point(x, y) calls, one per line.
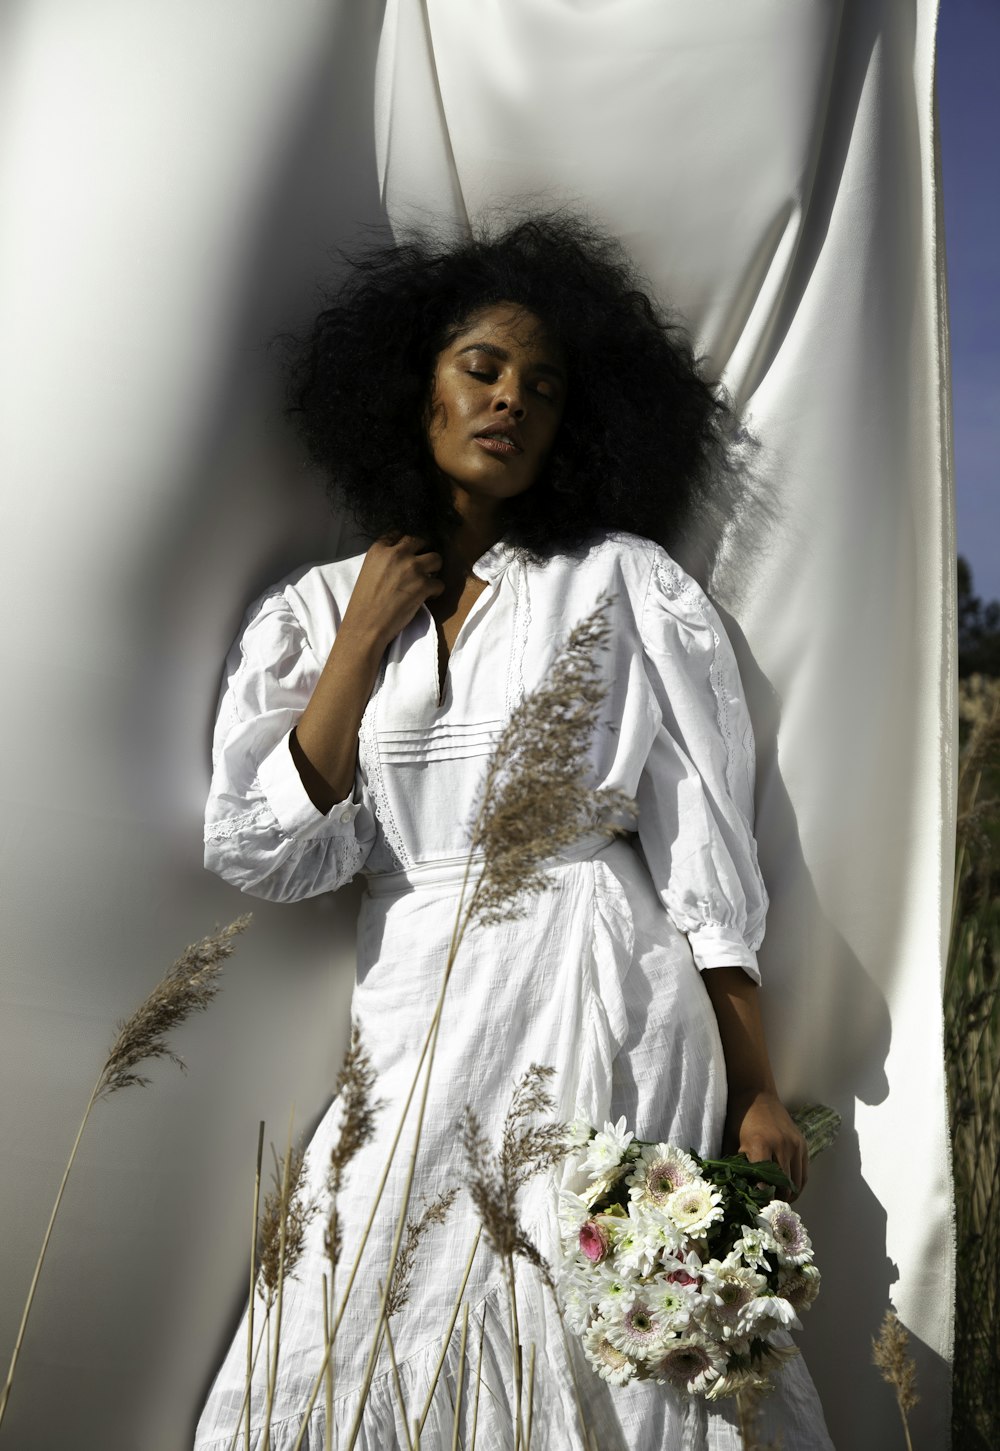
point(536, 800)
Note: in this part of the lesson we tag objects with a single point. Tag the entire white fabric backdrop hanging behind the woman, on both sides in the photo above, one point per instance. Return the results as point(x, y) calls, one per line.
point(171, 181)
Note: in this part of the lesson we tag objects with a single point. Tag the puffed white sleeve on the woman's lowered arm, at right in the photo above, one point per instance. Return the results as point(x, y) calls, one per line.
point(696, 793)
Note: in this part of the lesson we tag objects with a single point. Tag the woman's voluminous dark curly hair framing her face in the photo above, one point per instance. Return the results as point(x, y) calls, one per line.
point(642, 435)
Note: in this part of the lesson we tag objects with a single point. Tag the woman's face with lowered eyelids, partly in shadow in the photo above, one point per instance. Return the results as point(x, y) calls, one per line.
point(497, 401)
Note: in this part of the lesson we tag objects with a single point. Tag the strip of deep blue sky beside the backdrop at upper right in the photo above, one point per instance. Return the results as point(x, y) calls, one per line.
point(969, 102)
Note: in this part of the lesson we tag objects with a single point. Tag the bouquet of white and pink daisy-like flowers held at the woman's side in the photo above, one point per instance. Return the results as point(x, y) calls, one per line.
point(679, 1269)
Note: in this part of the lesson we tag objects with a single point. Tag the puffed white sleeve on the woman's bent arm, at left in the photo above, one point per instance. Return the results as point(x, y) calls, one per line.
point(262, 831)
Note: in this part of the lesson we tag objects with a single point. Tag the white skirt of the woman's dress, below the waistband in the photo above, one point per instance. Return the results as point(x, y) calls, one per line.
point(594, 982)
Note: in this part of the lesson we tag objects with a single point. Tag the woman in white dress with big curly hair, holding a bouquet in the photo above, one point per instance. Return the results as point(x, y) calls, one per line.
point(516, 426)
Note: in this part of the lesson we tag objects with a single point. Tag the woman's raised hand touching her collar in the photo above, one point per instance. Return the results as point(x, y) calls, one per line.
point(397, 578)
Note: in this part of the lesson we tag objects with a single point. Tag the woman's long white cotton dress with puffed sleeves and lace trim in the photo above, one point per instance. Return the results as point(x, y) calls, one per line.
point(600, 980)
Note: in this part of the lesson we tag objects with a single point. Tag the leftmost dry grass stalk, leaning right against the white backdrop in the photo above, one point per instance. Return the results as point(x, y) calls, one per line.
point(188, 987)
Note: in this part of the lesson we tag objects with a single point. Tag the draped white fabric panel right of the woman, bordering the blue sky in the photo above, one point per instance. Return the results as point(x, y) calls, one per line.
point(773, 170)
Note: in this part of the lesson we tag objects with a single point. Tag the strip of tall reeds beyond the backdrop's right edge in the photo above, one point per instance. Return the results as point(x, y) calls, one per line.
point(973, 1063)
